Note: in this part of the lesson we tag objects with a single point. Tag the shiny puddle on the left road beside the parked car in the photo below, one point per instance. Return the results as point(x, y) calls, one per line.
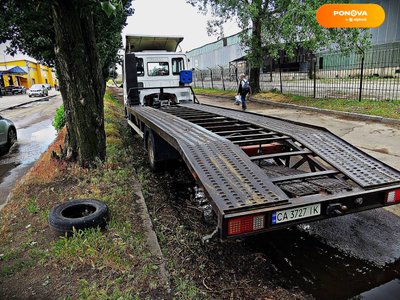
point(32, 142)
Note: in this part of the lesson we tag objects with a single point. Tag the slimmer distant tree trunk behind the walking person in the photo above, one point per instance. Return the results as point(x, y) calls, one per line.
point(256, 57)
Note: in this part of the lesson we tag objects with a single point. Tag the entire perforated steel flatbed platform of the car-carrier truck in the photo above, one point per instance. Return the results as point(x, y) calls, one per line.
point(251, 164)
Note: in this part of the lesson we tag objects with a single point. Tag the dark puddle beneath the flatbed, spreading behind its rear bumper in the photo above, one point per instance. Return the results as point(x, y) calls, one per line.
point(335, 259)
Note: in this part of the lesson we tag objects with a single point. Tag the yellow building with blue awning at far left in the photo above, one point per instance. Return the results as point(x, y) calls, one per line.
point(34, 73)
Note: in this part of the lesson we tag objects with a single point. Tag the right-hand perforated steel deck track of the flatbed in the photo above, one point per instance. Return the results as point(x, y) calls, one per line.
point(357, 165)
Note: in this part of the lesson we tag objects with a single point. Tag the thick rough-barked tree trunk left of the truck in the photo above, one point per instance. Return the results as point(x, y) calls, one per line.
point(81, 81)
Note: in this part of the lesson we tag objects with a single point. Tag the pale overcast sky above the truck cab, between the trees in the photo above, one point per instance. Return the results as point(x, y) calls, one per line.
point(174, 18)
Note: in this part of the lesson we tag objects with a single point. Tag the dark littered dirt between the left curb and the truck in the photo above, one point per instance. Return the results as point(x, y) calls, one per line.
point(213, 270)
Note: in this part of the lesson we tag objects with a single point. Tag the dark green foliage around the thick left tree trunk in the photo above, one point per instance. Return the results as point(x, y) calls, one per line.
point(29, 26)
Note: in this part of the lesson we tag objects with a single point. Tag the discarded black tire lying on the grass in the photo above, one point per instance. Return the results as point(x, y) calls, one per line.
point(78, 214)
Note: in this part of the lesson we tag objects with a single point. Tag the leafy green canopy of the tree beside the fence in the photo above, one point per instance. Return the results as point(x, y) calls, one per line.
point(270, 26)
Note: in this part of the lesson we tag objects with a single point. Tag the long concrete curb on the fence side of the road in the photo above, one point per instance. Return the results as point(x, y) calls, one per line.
point(356, 116)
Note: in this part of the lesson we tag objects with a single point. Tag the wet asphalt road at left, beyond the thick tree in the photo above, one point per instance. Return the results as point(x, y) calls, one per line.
point(35, 133)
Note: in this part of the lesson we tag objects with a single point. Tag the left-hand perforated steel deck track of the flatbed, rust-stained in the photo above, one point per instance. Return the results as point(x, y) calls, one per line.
point(226, 172)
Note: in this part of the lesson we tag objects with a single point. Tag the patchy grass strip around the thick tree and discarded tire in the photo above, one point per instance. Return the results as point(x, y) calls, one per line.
point(114, 264)
